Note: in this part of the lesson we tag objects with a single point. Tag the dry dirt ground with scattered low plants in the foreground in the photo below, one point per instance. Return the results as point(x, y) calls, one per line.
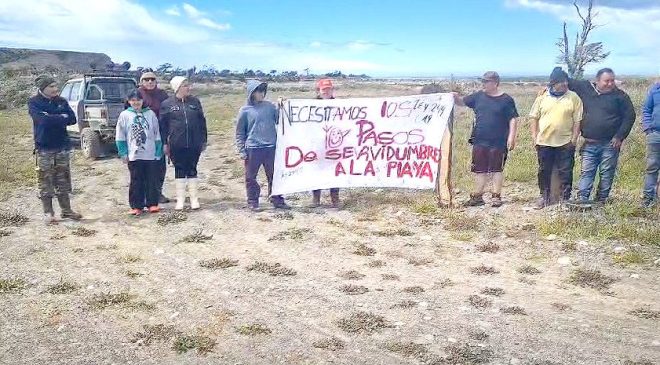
point(381, 281)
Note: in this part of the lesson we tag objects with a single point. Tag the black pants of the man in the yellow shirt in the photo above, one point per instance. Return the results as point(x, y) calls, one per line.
point(564, 159)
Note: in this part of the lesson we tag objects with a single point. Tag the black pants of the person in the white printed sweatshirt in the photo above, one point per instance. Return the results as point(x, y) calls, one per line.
point(144, 183)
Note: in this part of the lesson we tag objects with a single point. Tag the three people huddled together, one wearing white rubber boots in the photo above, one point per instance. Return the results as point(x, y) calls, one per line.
point(155, 128)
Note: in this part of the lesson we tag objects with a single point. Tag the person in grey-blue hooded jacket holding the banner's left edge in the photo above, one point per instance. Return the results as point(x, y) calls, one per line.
point(256, 138)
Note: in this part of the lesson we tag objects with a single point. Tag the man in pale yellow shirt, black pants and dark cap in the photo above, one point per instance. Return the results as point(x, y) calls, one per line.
point(555, 122)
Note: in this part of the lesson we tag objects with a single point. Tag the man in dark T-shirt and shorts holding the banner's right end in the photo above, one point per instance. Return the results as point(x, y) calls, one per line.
point(493, 134)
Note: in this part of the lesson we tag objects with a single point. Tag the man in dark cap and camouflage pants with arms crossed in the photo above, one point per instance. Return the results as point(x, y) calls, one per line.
point(50, 115)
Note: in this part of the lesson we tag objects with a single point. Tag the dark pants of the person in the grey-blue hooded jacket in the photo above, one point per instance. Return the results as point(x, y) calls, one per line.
point(258, 157)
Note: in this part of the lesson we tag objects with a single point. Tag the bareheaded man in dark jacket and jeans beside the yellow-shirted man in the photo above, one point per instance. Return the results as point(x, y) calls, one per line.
point(608, 118)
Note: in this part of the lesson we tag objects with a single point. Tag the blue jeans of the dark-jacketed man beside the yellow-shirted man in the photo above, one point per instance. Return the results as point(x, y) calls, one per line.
point(598, 157)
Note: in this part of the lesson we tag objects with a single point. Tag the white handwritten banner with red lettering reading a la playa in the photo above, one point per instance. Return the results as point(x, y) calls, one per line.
point(360, 142)
